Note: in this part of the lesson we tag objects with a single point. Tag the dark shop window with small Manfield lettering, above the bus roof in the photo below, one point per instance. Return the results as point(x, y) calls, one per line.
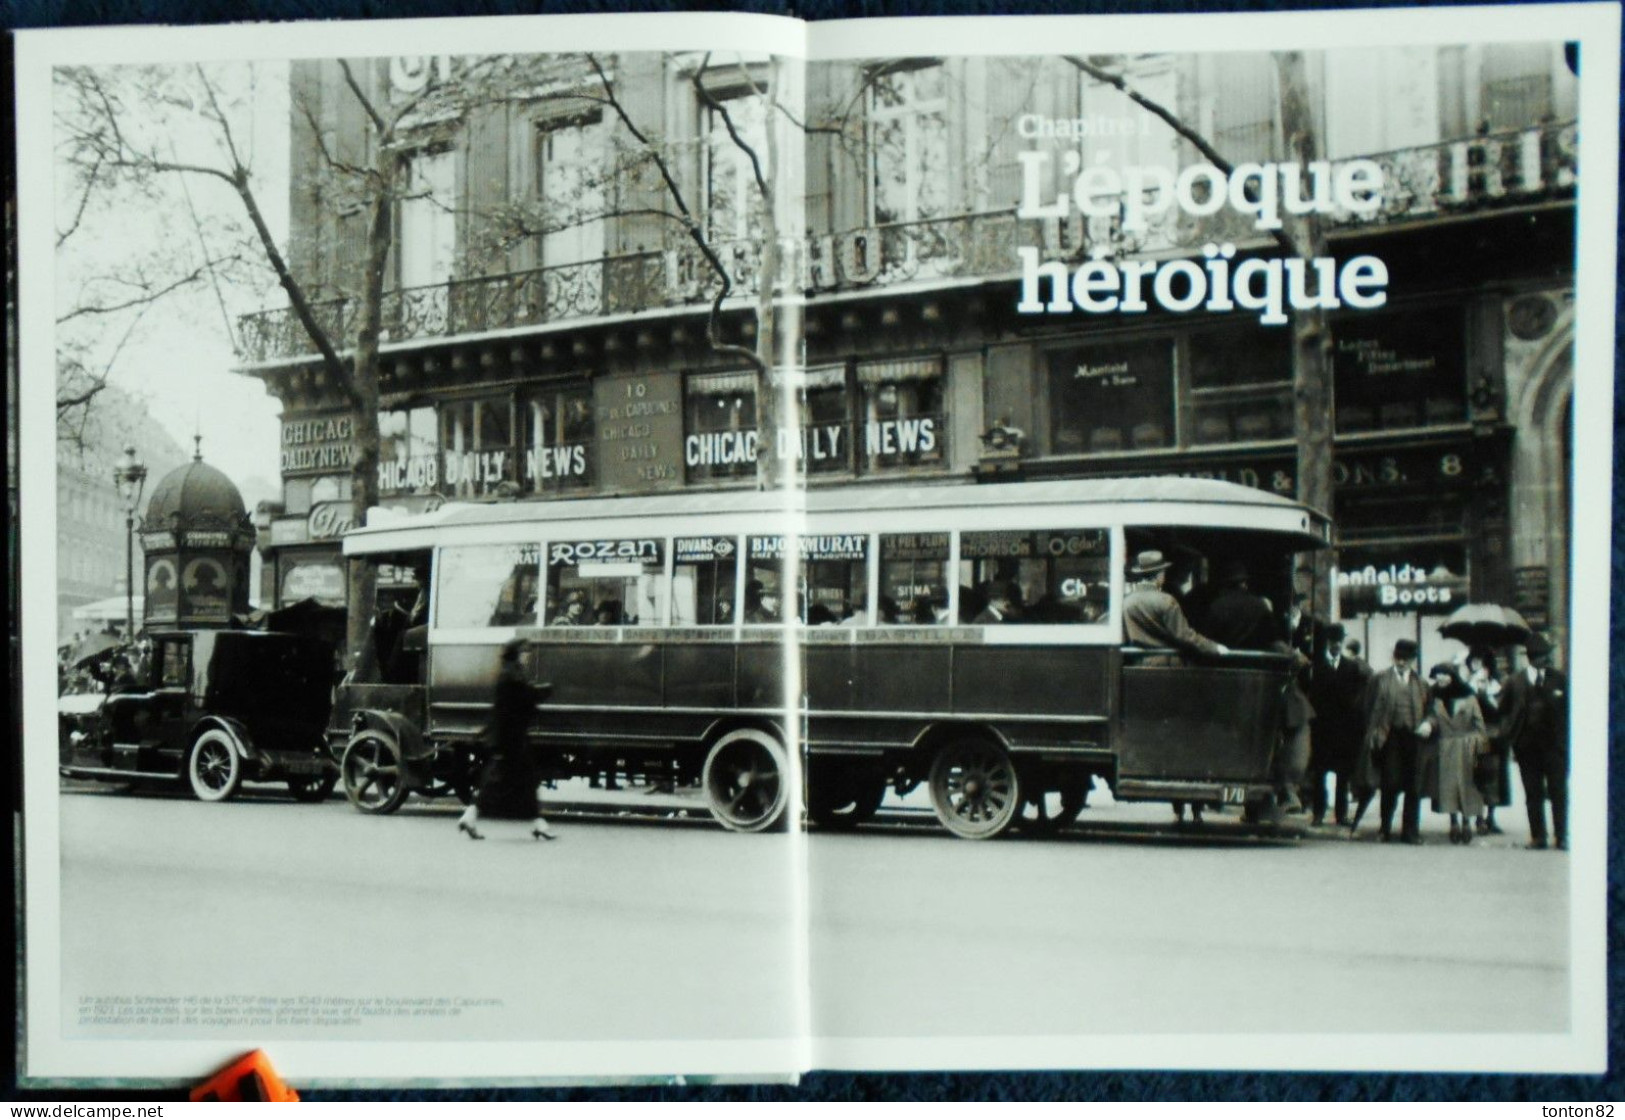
point(1112, 397)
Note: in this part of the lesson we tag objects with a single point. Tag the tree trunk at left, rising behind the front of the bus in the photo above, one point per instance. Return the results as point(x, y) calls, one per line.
point(365, 394)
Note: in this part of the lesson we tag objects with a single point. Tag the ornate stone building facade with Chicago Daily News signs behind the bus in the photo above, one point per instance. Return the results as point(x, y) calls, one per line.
point(570, 355)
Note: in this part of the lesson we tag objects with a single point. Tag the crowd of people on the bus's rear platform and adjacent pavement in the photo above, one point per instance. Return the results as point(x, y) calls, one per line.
point(1393, 737)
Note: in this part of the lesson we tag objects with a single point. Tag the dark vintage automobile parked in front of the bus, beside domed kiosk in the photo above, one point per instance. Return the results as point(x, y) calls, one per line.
point(215, 710)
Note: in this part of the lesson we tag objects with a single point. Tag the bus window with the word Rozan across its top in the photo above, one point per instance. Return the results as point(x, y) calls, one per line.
point(607, 583)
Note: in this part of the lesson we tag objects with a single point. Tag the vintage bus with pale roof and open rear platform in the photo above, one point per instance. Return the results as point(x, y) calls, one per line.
point(969, 638)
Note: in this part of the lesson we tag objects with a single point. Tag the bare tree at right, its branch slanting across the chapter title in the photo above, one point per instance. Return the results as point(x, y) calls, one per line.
point(1301, 237)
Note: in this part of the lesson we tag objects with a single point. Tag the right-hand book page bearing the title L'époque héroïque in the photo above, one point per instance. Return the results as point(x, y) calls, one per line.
point(1137, 287)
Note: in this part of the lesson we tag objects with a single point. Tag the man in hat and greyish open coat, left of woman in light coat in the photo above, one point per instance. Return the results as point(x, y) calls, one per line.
point(1395, 727)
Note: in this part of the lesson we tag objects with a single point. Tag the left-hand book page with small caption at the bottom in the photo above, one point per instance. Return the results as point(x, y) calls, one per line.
point(443, 318)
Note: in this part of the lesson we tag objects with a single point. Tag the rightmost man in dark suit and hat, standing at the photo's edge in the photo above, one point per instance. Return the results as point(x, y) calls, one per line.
point(1535, 716)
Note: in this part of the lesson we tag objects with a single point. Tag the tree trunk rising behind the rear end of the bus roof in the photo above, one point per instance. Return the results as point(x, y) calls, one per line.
point(1312, 370)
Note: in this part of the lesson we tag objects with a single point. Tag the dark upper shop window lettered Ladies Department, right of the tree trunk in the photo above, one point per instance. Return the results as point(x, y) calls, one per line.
point(1400, 370)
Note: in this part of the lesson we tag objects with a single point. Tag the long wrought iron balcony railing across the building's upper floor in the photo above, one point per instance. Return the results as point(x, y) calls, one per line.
point(1462, 176)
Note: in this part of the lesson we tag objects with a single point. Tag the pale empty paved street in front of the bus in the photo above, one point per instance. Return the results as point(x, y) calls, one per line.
point(636, 927)
